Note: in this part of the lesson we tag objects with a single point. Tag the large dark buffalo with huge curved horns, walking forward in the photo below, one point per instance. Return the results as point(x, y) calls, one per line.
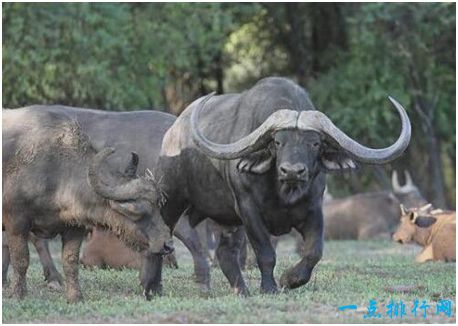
point(259, 159)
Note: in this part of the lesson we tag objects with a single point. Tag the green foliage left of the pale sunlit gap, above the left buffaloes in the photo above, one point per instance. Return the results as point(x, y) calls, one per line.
point(111, 56)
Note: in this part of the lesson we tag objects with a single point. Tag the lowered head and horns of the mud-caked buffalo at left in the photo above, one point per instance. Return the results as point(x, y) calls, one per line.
point(137, 199)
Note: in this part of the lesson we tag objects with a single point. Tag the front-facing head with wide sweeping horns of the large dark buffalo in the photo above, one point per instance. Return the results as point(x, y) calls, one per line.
point(299, 144)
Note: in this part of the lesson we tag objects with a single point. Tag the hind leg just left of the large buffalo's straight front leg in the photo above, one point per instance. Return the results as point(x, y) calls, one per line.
point(228, 252)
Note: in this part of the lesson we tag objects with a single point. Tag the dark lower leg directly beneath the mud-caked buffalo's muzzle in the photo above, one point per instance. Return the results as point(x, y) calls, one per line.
point(151, 275)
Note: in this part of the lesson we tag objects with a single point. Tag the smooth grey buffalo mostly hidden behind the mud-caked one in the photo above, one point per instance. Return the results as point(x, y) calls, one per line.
point(141, 132)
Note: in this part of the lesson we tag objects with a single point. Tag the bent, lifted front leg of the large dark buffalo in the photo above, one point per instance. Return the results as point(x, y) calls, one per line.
point(312, 233)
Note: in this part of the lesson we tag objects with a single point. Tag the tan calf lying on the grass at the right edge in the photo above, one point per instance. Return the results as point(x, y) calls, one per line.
point(435, 230)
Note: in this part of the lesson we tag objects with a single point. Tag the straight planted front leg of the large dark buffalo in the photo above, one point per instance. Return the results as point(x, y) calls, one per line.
point(259, 238)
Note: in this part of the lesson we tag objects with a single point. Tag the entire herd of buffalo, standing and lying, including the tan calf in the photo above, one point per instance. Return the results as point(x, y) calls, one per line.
point(232, 171)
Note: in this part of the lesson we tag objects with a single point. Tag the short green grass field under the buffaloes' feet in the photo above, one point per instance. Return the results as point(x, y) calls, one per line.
point(350, 273)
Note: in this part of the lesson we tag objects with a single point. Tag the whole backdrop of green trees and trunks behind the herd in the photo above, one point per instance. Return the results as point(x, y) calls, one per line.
point(165, 55)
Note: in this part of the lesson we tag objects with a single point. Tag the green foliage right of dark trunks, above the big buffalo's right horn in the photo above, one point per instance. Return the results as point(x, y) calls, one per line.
point(383, 47)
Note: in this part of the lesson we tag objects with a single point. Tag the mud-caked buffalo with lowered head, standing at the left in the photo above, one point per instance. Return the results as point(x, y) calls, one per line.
point(55, 182)
